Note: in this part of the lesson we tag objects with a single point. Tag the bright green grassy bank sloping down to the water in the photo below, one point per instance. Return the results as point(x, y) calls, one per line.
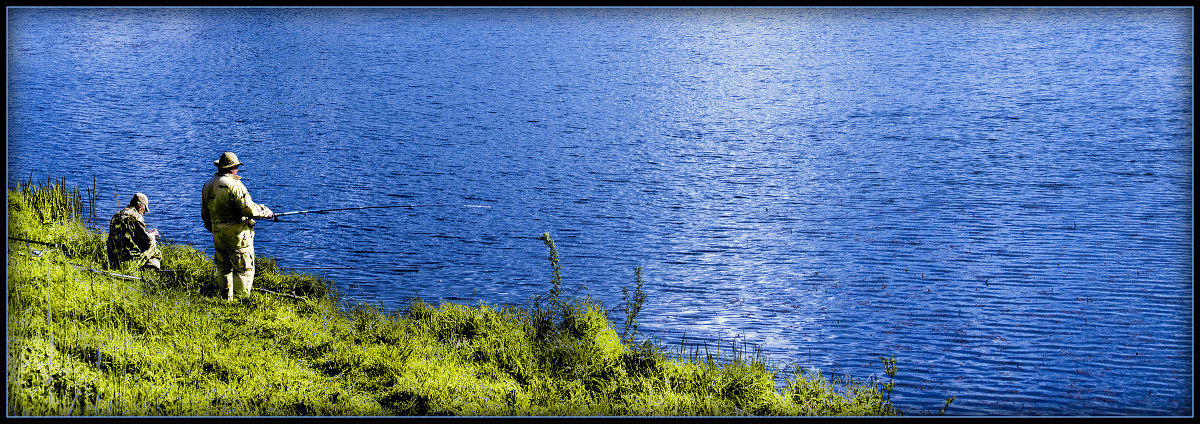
point(83, 343)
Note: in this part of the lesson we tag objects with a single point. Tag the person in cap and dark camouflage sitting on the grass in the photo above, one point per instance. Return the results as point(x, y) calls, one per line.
point(129, 238)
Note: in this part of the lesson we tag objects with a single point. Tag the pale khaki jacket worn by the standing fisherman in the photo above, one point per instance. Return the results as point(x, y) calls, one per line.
point(229, 212)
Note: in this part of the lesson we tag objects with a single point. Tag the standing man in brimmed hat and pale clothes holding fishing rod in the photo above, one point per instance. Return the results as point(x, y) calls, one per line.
point(229, 214)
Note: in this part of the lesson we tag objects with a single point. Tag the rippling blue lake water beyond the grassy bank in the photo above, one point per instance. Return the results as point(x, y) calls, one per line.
point(999, 199)
